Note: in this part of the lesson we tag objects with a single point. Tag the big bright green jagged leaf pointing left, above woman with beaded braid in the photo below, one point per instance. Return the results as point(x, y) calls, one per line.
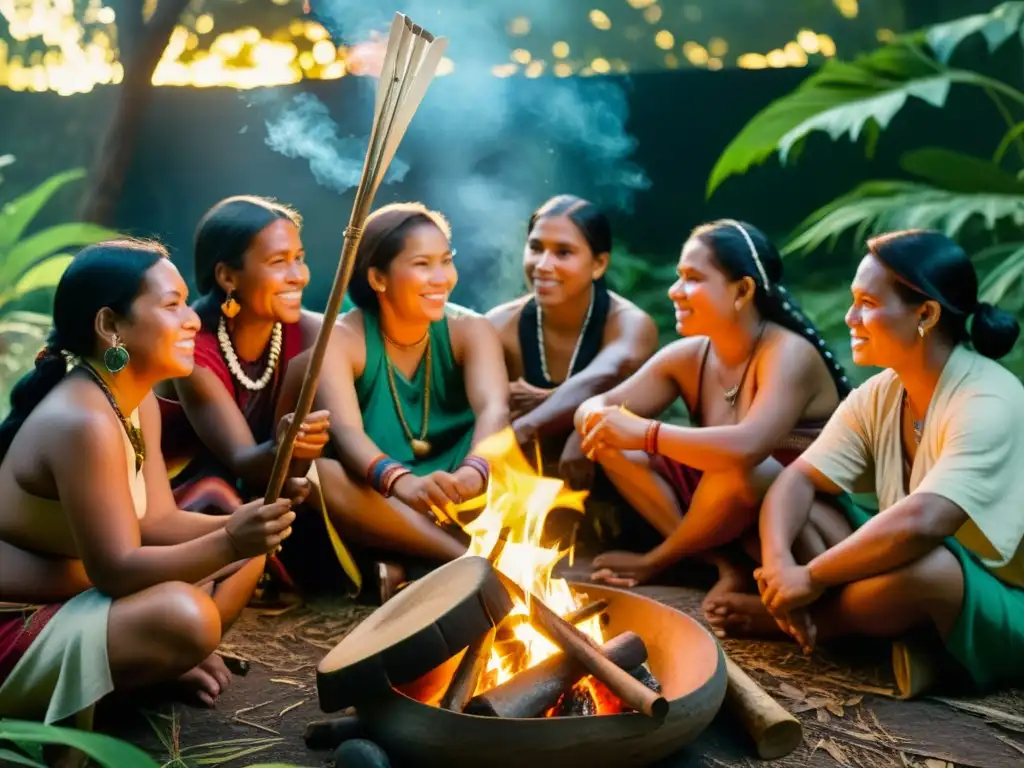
point(856, 99)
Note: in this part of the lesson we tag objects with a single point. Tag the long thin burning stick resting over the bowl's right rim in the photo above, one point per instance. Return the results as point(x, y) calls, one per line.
point(577, 645)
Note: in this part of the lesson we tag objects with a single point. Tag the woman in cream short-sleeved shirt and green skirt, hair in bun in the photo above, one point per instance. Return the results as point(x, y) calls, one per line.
point(940, 438)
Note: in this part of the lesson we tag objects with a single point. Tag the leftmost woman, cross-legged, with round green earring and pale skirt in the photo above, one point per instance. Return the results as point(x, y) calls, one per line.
point(99, 558)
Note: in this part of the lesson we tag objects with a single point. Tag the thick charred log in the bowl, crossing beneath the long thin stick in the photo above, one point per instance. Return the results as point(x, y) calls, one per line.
point(534, 692)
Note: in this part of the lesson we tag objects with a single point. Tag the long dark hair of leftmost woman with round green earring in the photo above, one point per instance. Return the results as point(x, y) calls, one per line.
point(108, 275)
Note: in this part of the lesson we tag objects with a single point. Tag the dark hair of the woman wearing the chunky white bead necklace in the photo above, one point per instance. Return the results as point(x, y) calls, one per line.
point(224, 236)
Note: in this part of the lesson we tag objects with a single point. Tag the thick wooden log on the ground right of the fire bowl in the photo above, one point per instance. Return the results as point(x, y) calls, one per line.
point(776, 732)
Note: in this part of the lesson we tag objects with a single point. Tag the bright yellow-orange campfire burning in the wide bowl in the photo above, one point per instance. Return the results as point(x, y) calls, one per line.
point(520, 669)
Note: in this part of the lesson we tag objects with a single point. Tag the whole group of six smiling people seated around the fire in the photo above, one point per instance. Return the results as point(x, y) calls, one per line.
point(136, 454)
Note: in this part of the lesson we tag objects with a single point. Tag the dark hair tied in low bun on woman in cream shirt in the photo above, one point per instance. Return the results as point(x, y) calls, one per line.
point(930, 266)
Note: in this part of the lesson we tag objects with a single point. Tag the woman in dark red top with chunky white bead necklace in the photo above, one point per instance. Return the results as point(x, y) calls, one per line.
point(223, 422)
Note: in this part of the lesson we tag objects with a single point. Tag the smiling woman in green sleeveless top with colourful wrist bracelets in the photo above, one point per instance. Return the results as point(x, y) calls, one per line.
point(412, 382)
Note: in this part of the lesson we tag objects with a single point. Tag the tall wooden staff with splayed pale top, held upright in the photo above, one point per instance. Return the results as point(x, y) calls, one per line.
point(410, 65)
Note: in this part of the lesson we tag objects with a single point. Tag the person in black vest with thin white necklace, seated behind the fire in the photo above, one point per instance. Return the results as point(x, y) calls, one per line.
point(571, 338)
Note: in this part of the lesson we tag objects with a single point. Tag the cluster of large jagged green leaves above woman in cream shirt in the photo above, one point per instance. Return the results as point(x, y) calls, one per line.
point(977, 201)
